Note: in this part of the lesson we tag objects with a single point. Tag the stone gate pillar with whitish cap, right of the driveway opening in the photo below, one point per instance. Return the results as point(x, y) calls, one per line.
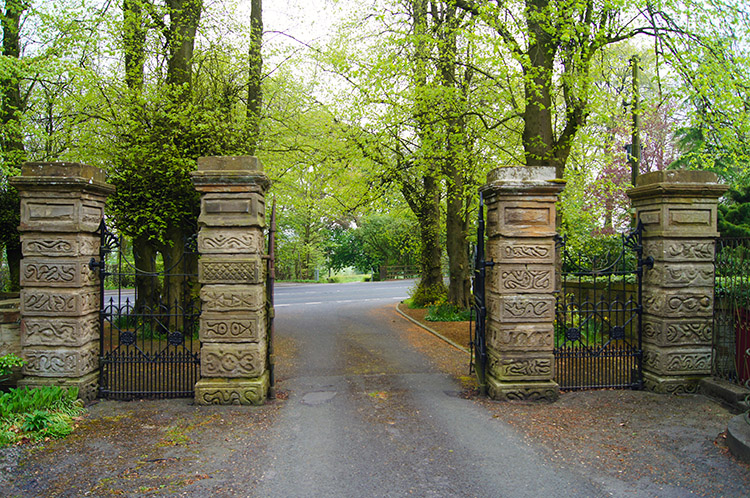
point(521, 284)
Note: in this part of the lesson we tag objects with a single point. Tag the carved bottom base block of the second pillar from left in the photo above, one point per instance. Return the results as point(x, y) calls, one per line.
point(226, 391)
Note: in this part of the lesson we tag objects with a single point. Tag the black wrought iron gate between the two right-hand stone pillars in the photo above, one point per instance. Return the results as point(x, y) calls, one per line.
point(598, 317)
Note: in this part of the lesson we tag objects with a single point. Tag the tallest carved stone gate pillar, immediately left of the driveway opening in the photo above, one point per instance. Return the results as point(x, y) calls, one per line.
point(231, 272)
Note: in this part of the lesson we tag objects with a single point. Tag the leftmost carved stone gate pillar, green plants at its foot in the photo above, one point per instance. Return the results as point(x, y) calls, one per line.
point(62, 205)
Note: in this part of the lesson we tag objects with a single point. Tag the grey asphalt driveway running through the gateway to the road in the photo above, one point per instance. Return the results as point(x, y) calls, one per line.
point(368, 415)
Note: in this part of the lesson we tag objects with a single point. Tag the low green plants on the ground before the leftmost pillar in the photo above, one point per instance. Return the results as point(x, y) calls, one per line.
point(37, 413)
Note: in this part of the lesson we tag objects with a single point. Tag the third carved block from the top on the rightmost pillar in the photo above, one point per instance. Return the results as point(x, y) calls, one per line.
point(679, 303)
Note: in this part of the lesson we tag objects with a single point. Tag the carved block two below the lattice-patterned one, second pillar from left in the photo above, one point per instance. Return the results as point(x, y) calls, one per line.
point(225, 327)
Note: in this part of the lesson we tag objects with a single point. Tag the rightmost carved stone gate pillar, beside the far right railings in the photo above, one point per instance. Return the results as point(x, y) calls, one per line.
point(678, 212)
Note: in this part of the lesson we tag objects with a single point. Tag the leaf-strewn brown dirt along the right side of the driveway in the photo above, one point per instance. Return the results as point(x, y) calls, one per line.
point(665, 443)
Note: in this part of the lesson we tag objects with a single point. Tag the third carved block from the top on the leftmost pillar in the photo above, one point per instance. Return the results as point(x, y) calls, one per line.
point(62, 302)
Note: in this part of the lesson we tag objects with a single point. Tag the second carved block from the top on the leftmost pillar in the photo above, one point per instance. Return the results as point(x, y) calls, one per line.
point(45, 272)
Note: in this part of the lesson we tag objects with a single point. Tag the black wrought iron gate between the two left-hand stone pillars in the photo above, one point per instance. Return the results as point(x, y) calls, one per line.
point(149, 322)
